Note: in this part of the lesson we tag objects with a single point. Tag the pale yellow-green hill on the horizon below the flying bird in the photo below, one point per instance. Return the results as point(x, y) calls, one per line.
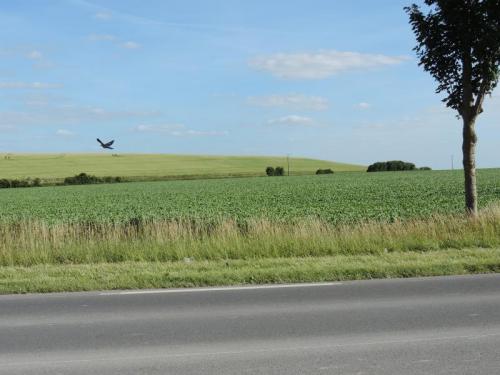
point(153, 166)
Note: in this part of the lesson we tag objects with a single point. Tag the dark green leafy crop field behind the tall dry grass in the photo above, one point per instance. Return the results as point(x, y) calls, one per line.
point(341, 198)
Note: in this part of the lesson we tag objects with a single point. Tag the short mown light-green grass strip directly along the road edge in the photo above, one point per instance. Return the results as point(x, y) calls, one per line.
point(135, 275)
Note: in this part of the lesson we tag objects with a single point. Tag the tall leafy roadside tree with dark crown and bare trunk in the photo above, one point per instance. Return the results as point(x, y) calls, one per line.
point(458, 43)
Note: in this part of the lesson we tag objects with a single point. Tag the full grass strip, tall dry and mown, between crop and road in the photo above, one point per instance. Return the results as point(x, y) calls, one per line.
point(38, 257)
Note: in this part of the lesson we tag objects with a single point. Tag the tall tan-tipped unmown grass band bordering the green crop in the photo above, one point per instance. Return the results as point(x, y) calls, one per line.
point(29, 243)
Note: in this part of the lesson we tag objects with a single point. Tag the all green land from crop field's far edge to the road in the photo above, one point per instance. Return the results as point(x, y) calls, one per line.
point(246, 230)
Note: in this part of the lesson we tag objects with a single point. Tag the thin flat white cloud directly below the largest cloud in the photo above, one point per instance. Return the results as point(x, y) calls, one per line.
point(292, 101)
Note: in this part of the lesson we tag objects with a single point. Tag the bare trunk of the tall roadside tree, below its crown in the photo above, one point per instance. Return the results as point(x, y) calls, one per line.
point(469, 161)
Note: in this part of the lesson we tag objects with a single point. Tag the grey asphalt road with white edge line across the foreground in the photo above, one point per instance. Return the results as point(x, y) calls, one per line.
point(448, 325)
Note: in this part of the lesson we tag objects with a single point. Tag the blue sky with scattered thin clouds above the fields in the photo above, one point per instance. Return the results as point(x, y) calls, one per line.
point(328, 79)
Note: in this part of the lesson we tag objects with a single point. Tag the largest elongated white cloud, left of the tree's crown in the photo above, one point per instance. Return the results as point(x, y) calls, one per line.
point(322, 64)
